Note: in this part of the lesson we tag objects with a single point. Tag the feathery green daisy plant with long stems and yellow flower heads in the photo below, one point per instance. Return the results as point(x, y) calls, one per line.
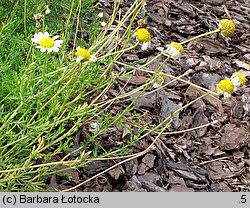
point(69, 98)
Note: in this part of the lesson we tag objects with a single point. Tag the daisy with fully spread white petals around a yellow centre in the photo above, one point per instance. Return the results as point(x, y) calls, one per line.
point(46, 43)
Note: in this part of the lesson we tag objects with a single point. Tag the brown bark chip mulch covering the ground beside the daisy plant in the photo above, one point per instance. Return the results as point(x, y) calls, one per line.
point(209, 159)
